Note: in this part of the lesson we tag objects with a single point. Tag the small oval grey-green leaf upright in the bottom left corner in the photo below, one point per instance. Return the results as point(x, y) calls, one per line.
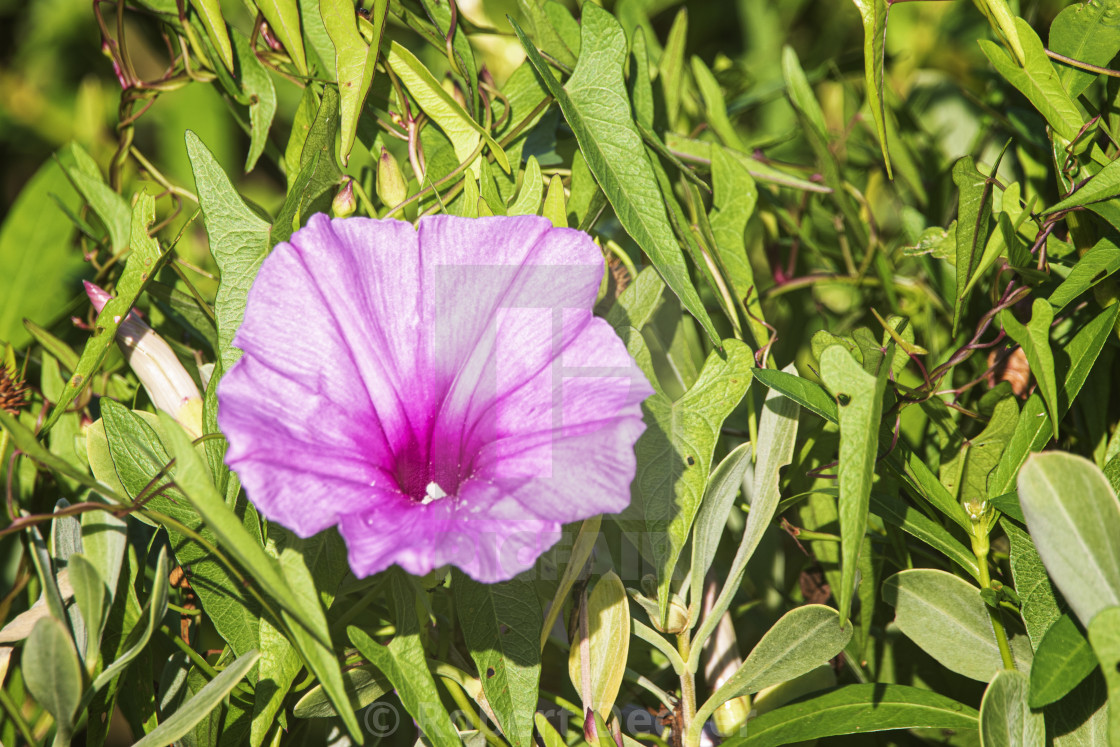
point(53, 674)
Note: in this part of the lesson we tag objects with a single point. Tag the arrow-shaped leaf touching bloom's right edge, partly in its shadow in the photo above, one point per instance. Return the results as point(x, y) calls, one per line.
point(675, 454)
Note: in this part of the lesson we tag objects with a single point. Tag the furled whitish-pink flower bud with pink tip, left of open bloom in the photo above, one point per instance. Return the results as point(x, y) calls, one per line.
point(167, 382)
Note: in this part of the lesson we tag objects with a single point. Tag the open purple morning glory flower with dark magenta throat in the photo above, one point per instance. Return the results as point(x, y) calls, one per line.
point(443, 396)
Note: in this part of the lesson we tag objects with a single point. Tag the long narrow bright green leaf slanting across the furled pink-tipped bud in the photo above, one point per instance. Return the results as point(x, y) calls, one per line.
point(143, 264)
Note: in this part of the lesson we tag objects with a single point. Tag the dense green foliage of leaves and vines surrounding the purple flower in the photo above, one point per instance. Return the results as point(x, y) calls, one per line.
point(866, 255)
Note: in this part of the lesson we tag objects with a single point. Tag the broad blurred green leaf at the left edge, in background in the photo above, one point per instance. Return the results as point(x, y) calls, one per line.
point(33, 282)
